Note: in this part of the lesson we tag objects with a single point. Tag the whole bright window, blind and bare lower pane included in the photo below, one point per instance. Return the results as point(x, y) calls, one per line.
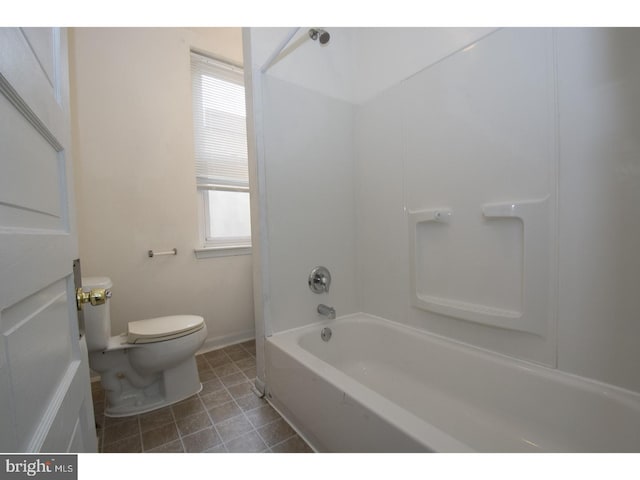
point(220, 140)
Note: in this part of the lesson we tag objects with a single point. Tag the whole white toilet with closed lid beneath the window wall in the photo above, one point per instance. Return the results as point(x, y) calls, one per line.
point(149, 366)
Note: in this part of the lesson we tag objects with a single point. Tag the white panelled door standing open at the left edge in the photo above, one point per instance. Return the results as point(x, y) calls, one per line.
point(45, 397)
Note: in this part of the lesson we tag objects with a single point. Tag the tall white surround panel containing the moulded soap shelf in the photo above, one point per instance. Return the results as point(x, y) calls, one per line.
point(480, 178)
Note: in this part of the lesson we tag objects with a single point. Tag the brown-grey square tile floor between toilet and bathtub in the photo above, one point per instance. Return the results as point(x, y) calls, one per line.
point(226, 416)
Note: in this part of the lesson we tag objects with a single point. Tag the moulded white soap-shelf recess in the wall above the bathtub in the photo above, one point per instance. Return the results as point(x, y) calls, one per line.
point(490, 266)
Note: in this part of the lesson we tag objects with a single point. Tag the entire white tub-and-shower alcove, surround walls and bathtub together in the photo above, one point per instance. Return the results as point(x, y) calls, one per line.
point(479, 189)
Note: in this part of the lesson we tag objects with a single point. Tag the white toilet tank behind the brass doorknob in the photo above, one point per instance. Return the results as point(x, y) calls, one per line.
point(97, 319)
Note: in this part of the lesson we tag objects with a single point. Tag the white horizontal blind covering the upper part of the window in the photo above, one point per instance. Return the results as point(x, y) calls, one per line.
point(219, 119)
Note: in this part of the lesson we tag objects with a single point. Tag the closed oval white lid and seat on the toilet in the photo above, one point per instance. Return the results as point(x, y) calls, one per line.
point(163, 328)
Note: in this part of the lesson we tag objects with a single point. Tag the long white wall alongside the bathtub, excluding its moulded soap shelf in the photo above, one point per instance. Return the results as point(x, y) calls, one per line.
point(583, 92)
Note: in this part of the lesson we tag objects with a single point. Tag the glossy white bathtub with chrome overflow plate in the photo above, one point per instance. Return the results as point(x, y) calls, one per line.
point(379, 386)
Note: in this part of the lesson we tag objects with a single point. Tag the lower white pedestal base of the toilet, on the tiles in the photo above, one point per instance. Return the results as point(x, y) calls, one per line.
point(171, 386)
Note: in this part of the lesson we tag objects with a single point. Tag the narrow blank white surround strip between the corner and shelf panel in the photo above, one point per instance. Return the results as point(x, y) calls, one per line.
point(382, 235)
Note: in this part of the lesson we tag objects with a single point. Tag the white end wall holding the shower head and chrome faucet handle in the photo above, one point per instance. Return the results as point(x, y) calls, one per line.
point(305, 131)
